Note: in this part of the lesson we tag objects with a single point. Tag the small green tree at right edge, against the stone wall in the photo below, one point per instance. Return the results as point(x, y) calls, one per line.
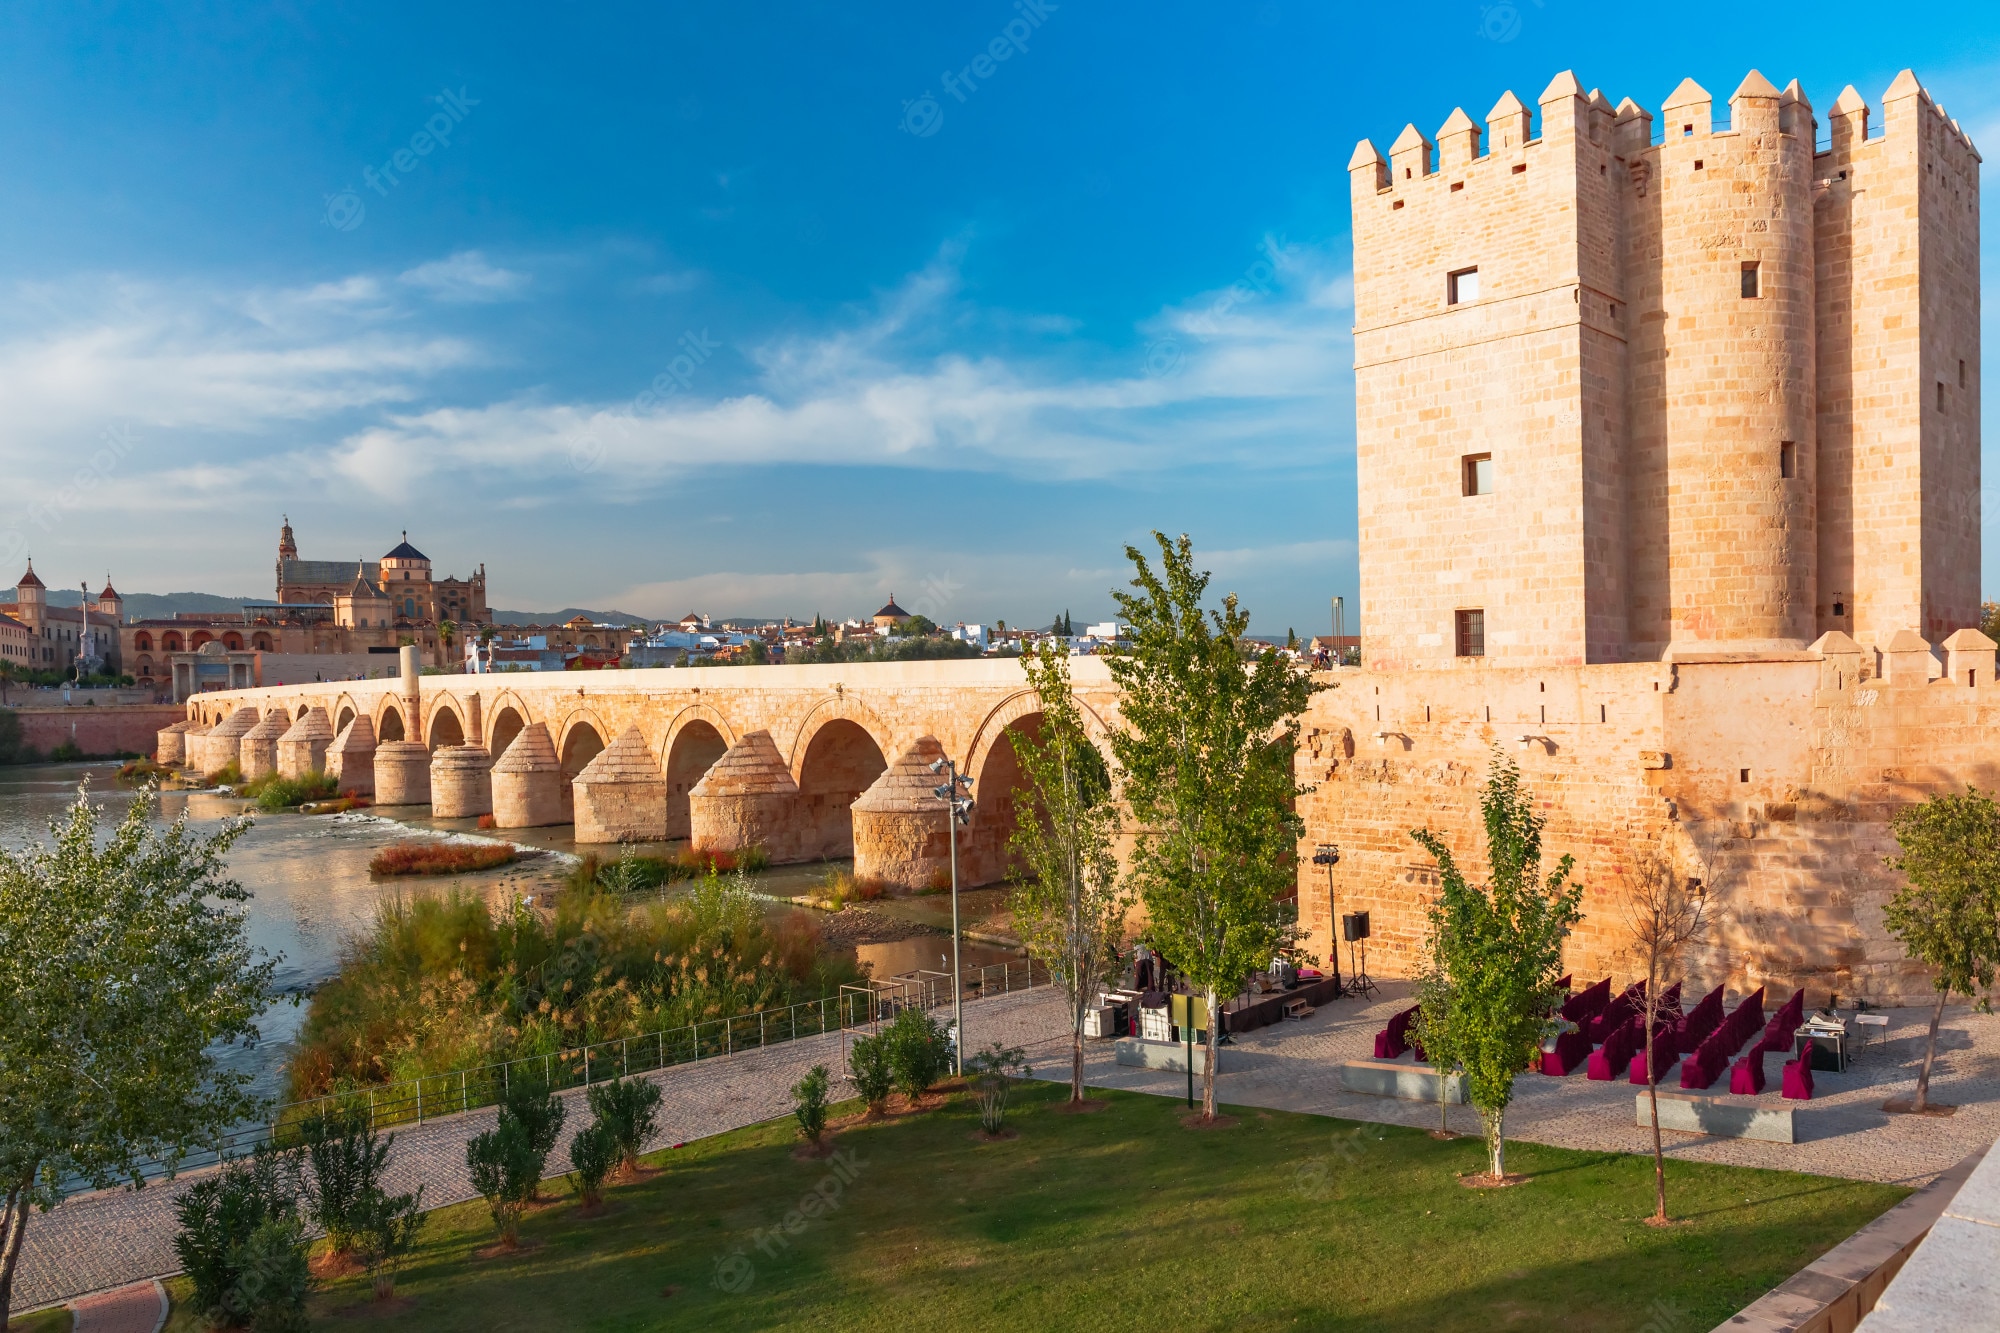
point(1949, 914)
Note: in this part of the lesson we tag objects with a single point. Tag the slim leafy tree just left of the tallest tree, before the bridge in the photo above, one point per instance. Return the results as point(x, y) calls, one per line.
point(1071, 910)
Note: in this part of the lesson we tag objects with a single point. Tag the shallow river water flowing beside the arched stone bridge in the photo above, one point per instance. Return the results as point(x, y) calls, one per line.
point(311, 886)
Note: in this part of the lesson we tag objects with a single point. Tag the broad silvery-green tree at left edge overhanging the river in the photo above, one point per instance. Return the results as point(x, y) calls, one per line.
point(125, 974)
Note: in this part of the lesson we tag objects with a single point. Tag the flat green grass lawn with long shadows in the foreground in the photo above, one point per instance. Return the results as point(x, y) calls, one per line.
point(1127, 1220)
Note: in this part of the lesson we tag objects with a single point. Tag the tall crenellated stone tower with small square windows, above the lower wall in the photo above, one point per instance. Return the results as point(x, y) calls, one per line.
point(1625, 399)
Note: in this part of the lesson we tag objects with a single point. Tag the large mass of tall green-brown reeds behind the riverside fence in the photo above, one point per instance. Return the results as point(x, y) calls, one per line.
point(447, 982)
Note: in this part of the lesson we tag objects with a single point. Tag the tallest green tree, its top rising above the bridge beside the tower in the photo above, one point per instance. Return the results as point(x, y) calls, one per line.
point(1207, 766)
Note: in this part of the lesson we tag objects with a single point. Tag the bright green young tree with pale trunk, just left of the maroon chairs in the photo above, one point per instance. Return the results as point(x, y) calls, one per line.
point(1501, 950)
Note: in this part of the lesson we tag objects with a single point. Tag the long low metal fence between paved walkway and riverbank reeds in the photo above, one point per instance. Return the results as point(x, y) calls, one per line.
point(469, 1090)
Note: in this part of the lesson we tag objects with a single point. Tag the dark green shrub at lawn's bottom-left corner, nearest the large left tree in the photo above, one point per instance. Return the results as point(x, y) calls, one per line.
point(243, 1248)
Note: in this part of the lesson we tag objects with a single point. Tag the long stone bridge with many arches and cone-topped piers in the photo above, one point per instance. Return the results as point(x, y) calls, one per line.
point(803, 762)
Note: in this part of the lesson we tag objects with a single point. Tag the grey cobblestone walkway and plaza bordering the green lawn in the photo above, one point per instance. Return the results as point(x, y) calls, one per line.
point(115, 1238)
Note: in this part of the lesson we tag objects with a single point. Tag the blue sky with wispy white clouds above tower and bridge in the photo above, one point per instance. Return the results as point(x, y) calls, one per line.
point(745, 307)
